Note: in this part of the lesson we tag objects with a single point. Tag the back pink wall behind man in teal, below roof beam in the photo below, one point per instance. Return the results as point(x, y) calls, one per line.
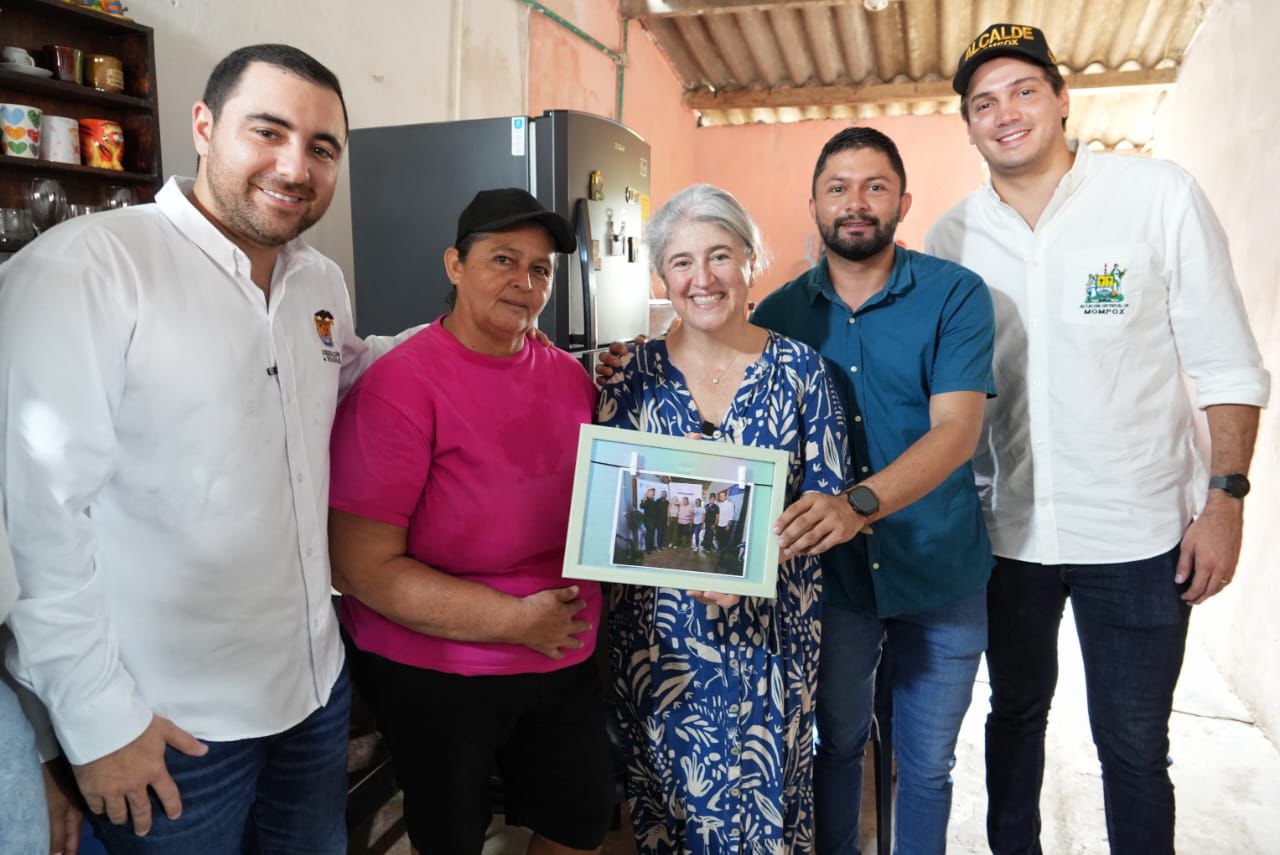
point(770, 168)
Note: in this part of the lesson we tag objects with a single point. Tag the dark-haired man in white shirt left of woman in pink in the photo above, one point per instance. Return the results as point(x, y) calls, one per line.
point(168, 381)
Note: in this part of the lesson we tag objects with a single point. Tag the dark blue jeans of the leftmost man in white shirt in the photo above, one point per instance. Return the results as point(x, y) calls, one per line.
point(273, 795)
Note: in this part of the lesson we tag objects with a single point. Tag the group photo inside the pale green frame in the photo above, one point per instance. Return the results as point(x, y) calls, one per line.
point(682, 523)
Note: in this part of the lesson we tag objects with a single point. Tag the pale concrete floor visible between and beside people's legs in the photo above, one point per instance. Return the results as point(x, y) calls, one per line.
point(1227, 776)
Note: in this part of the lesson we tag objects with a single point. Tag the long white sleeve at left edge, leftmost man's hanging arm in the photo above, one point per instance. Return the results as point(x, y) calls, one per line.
point(65, 335)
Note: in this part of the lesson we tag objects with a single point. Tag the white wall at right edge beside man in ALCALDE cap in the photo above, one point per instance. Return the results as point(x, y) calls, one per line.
point(1222, 124)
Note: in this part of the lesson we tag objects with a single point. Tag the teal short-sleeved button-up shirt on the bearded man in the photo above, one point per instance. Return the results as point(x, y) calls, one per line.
point(930, 331)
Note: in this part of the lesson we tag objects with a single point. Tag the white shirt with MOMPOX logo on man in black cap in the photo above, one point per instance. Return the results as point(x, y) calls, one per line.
point(1124, 287)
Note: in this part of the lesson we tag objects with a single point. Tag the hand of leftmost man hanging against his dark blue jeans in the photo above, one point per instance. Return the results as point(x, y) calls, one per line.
point(117, 784)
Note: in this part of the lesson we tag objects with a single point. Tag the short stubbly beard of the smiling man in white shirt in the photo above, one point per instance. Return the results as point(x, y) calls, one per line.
point(241, 217)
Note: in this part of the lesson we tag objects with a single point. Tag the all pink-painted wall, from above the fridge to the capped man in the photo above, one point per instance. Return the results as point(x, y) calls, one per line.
point(767, 167)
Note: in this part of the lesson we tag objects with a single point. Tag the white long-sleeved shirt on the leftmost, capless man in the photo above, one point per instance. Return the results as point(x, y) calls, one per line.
point(167, 464)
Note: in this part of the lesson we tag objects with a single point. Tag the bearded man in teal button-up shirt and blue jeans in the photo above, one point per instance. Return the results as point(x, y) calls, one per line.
point(909, 340)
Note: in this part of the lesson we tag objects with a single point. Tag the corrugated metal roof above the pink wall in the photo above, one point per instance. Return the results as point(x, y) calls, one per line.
point(749, 61)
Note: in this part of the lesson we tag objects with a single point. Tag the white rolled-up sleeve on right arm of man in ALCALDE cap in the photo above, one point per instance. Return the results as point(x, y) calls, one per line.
point(1212, 330)
